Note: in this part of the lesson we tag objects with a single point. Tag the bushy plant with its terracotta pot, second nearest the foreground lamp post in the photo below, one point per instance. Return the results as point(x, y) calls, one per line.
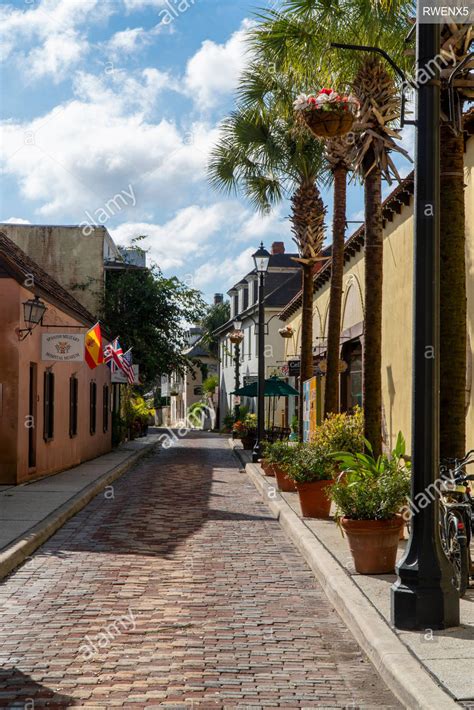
point(312, 469)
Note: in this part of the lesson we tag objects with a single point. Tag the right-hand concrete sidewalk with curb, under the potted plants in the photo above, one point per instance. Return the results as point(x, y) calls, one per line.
point(428, 669)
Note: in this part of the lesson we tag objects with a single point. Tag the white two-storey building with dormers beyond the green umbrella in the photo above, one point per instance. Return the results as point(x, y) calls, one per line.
point(282, 283)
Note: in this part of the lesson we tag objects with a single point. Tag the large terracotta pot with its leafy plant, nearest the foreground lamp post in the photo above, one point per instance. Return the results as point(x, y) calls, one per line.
point(369, 493)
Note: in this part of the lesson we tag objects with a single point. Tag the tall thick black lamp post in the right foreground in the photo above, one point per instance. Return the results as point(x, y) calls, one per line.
point(423, 596)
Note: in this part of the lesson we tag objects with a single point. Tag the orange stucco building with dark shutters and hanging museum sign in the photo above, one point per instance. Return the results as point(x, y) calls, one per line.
point(53, 414)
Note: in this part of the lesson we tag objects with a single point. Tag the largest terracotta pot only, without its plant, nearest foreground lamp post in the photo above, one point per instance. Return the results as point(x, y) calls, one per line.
point(373, 543)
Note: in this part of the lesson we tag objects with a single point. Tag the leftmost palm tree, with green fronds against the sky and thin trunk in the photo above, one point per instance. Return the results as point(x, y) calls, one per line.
point(263, 152)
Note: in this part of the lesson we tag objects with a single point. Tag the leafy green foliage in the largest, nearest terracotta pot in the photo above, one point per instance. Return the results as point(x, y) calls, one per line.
point(371, 488)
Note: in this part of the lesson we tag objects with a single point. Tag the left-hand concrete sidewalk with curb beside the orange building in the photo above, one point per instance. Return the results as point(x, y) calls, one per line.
point(31, 512)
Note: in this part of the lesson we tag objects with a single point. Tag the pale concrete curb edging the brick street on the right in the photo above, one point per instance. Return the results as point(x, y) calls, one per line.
point(406, 676)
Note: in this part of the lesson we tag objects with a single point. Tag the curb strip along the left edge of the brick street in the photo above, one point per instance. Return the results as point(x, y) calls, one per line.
point(39, 533)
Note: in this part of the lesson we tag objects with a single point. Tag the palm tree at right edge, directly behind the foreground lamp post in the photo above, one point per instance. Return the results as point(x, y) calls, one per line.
point(455, 41)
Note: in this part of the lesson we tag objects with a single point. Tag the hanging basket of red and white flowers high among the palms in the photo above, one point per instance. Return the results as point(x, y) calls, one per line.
point(327, 114)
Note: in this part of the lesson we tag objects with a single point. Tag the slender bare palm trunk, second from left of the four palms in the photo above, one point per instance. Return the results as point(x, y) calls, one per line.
point(331, 398)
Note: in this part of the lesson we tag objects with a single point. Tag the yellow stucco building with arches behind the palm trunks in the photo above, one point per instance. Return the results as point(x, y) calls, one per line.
point(397, 318)
